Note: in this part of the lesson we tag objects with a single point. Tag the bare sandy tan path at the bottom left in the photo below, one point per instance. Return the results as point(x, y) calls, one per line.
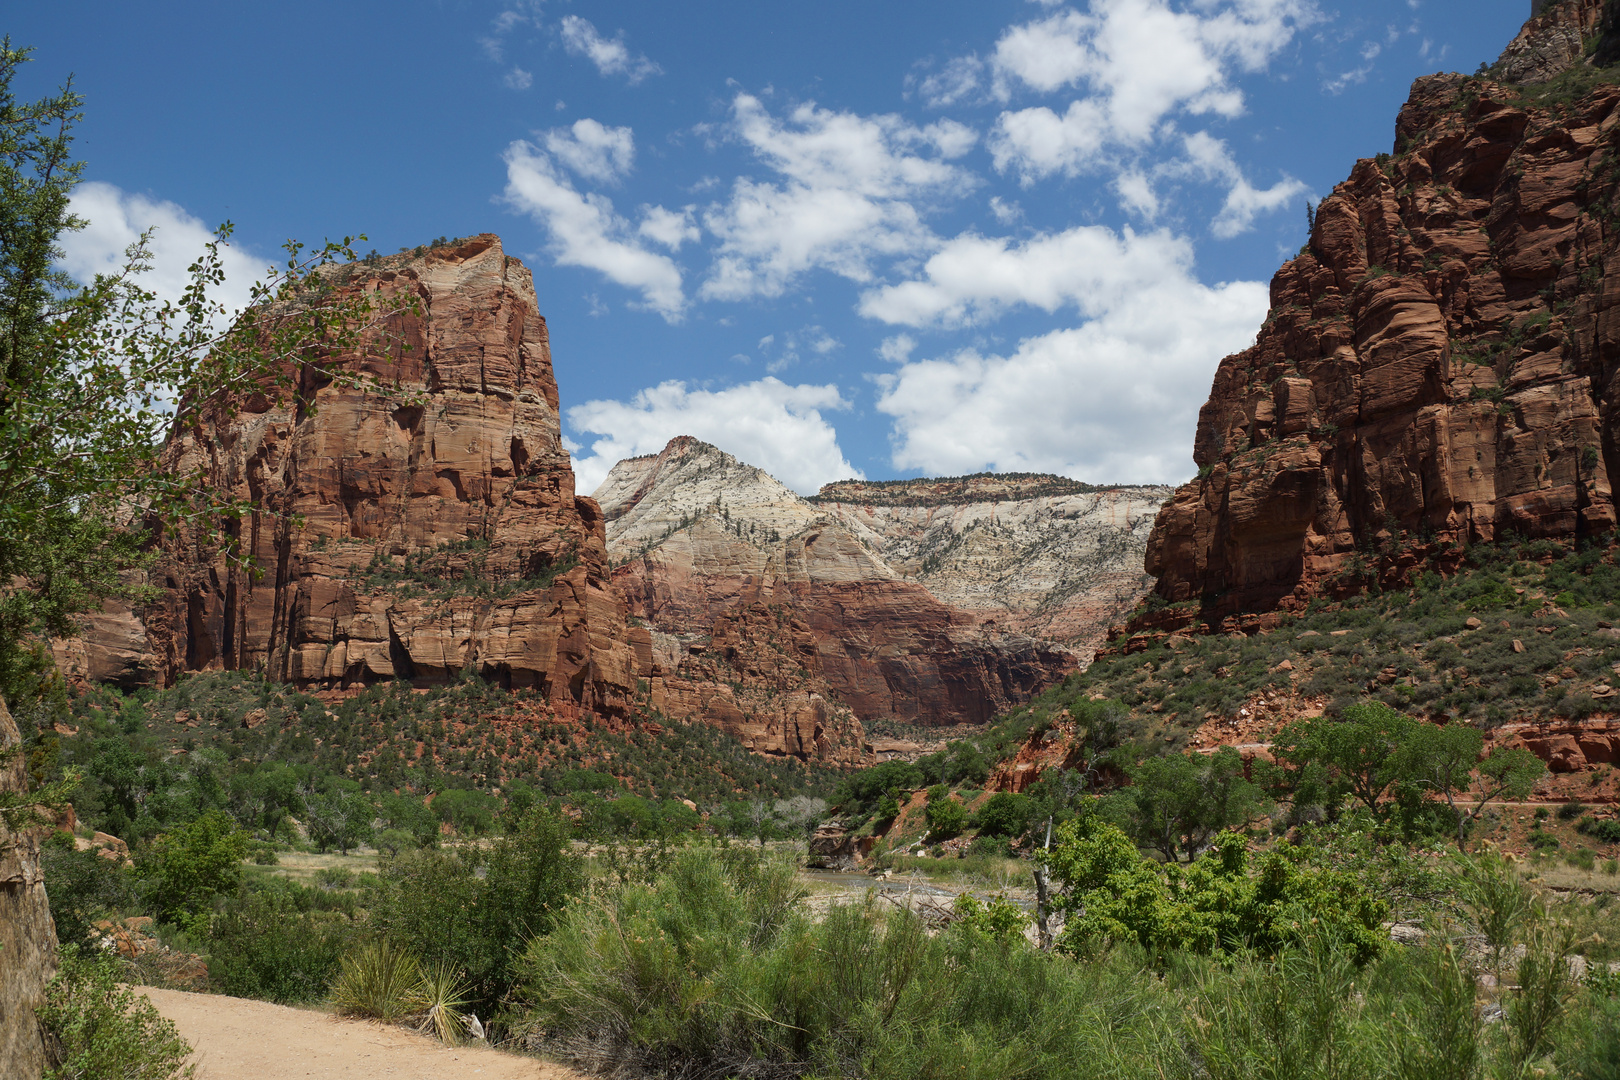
point(255, 1040)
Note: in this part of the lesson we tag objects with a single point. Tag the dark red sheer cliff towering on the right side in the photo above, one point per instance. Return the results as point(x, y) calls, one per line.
point(1441, 367)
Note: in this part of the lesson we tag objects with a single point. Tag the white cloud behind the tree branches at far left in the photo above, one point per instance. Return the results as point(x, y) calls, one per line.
point(119, 218)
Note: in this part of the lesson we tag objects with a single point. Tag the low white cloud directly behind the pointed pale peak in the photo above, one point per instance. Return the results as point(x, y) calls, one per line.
point(765, 423)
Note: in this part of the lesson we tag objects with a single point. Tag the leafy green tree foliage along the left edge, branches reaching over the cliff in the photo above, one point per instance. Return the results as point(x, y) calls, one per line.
point(93, 380)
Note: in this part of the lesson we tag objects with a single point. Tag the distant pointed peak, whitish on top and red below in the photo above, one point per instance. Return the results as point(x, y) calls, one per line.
point(699, 537)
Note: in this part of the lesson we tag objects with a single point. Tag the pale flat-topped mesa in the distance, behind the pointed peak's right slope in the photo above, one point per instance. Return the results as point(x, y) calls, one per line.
point(1042, 556)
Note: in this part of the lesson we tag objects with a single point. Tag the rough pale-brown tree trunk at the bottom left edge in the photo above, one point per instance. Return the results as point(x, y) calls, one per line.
point(28, 937)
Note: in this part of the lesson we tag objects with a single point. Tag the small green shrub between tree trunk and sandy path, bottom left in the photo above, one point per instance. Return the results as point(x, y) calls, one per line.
point(100, 1031)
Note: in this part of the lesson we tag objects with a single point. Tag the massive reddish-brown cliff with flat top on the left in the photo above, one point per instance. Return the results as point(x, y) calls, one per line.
point(412, 535)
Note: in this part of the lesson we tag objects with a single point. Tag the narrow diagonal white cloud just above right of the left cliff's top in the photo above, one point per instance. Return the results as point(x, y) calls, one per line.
point(587, 232)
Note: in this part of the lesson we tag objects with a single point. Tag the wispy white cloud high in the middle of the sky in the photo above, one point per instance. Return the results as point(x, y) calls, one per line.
point(848, 193)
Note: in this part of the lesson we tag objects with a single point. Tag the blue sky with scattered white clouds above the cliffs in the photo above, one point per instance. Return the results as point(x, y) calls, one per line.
point(882, 239)
